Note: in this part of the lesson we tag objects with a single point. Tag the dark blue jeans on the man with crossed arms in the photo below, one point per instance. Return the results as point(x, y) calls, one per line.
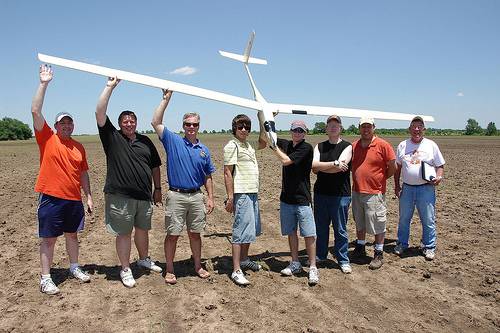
point(335, 209)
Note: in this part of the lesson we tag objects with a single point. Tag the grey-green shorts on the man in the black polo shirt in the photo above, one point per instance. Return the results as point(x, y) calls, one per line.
point(122, 214)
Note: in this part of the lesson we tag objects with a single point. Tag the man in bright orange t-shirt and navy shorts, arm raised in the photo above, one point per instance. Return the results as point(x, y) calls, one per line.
point(63, 171)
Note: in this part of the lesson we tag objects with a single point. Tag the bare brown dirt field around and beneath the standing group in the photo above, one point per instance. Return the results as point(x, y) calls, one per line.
point(457, 292)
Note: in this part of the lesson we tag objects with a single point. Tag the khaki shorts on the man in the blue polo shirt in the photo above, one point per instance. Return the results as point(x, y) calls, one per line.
point(185, 207)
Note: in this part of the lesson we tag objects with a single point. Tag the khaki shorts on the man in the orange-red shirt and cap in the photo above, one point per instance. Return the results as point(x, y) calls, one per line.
point(369, 211)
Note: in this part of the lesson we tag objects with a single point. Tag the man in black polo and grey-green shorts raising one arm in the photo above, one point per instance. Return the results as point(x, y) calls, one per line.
point(132, 163)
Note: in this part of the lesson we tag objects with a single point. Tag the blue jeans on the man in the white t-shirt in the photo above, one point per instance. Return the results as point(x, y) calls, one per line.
point(424, 197)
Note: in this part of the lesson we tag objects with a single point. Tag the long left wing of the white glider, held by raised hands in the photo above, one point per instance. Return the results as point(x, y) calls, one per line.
point(151, 81)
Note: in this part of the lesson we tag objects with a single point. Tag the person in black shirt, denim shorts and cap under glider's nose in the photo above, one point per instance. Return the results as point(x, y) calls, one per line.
point(295, 201)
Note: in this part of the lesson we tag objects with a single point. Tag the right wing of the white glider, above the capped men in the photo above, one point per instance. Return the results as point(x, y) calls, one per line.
point(343, 112)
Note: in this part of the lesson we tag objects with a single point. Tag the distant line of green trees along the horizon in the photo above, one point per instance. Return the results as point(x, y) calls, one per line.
point(13, 129)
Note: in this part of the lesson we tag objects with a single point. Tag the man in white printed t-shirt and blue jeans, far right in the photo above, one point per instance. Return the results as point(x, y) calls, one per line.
point(415, 191)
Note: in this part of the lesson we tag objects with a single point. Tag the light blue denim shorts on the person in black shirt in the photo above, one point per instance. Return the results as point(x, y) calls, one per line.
point(293, 215)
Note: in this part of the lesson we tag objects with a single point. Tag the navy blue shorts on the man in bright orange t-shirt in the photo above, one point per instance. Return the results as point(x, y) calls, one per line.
point(57, 216)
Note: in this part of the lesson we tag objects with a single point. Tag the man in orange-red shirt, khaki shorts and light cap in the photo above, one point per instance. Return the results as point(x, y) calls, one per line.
point(373, 163)
